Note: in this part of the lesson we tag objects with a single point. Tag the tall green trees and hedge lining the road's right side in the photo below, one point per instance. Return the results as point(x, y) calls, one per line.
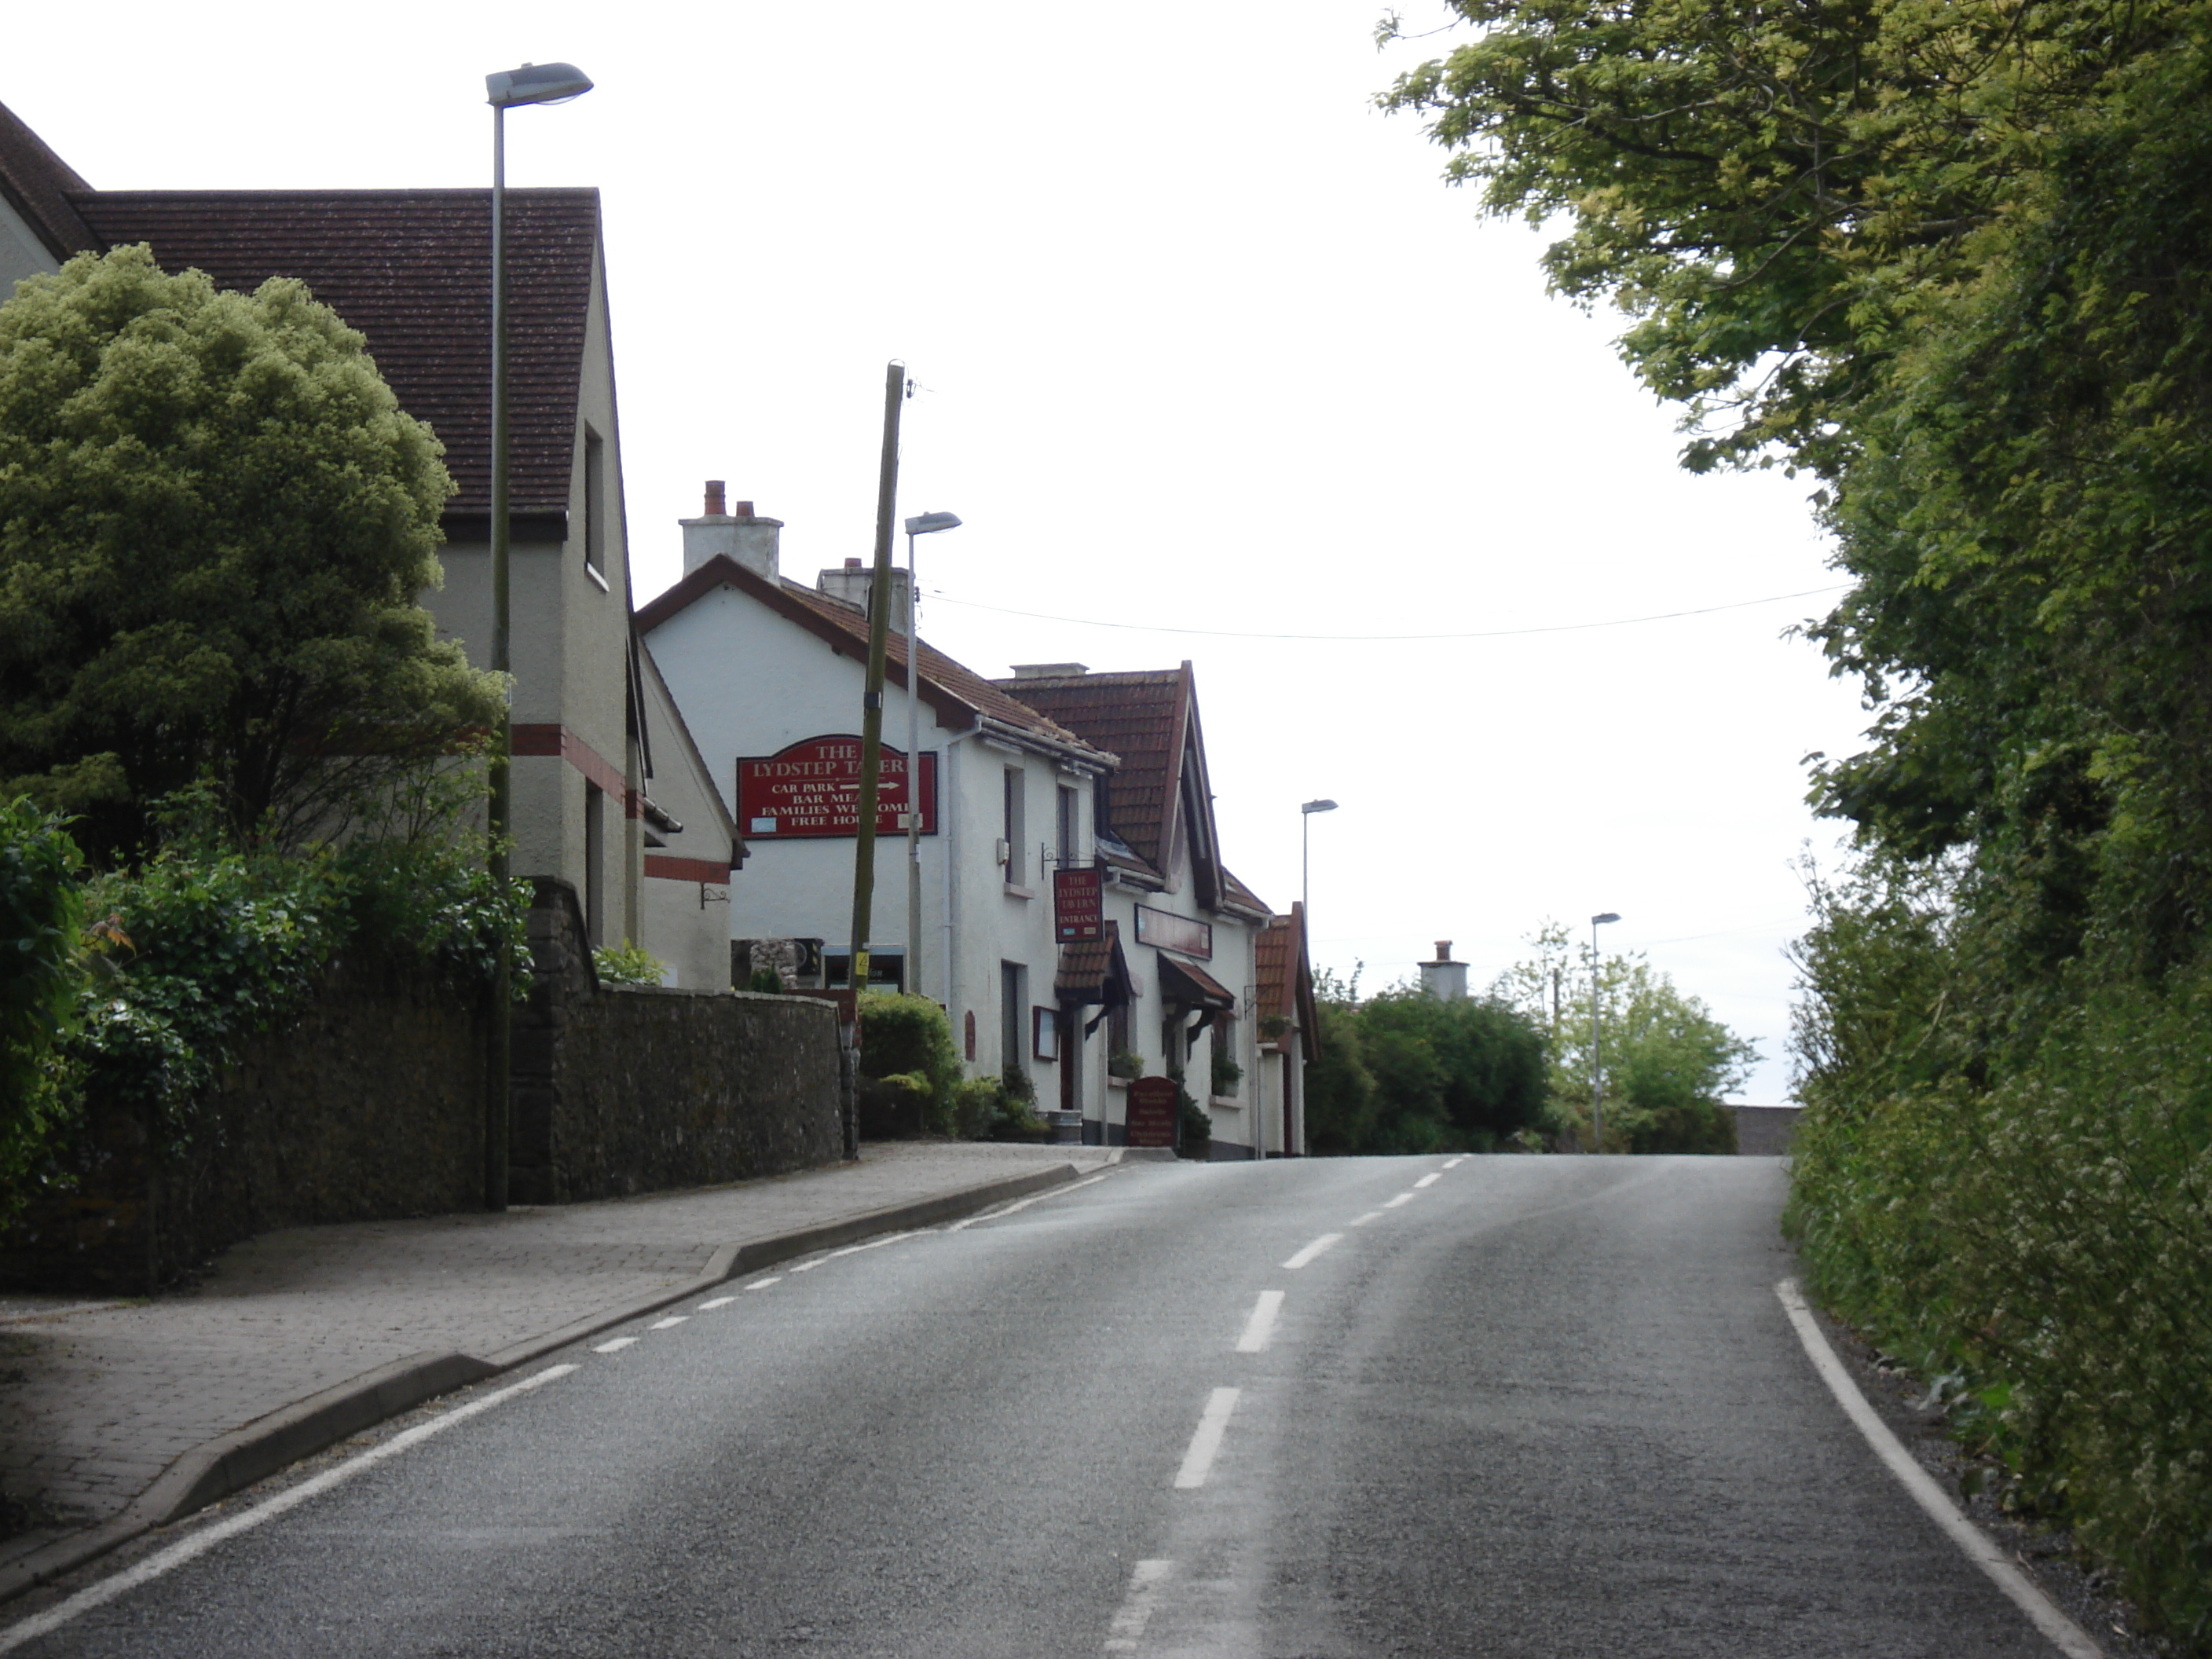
point(1954, 264)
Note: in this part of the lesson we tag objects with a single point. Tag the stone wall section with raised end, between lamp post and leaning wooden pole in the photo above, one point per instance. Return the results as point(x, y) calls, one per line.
point(643, 1089)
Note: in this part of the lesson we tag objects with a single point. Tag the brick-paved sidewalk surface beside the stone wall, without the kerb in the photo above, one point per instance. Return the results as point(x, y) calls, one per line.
point(98, 1399)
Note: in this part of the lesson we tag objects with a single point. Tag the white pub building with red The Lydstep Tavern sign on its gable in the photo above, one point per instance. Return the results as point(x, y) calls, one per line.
point(1076, 917)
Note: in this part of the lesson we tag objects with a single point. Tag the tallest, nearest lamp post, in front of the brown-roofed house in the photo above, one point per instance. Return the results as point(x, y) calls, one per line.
point(508, 90)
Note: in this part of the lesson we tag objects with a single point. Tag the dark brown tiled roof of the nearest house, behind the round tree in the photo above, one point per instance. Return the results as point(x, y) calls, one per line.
point(413, 271)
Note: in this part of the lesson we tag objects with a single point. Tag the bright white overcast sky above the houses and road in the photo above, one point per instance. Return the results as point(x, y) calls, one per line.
point(1204, 344)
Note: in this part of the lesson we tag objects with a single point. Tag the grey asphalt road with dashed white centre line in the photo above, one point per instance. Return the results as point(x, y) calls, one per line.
point(1512, 1408)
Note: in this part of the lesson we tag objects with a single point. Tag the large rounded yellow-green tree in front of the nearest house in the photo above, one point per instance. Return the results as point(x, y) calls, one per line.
point(213, 530)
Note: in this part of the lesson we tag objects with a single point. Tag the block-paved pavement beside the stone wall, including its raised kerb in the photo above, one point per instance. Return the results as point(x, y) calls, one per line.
point(125, 1415)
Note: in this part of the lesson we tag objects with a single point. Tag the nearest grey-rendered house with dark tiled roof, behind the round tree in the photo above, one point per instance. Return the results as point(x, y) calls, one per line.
point(413, 273)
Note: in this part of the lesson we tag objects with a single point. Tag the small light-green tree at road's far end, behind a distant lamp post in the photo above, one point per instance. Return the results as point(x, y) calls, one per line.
point(1667, 1061)
